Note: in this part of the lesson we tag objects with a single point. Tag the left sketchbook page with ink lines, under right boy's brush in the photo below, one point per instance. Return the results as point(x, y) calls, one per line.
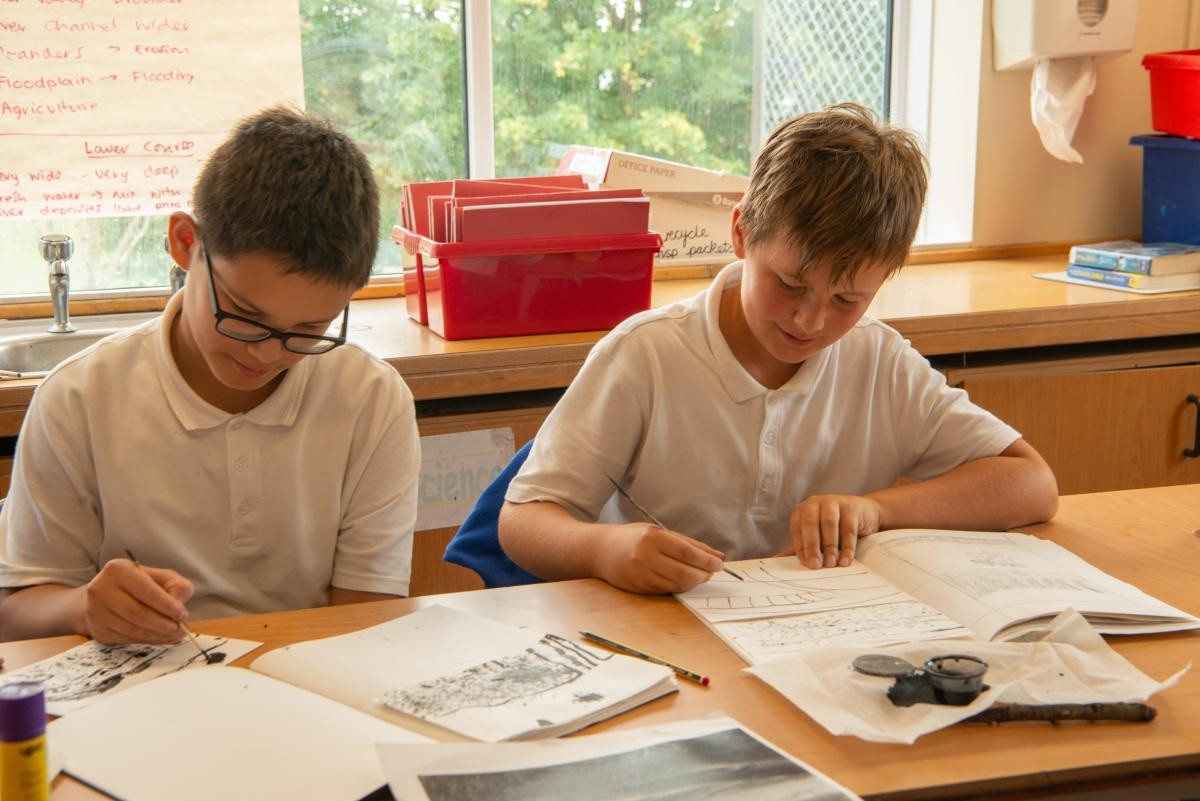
point(765, 609)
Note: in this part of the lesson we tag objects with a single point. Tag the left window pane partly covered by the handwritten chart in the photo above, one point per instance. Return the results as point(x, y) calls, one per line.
point(389, 73)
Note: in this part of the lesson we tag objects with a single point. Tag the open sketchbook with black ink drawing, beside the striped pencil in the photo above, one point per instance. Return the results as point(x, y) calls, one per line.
point(472, 676)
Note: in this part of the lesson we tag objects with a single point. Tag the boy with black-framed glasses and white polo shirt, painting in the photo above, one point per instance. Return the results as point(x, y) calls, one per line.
point(232, 445)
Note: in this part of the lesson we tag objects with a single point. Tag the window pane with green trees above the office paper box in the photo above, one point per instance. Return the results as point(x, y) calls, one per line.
point(667, 79)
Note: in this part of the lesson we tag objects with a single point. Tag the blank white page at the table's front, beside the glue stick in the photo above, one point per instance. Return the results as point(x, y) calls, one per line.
point(226, 734)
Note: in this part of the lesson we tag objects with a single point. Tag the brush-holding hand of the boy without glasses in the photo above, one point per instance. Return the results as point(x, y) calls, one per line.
point(644, 558)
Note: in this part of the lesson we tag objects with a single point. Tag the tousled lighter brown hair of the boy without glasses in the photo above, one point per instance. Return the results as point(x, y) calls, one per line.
point(842, 188)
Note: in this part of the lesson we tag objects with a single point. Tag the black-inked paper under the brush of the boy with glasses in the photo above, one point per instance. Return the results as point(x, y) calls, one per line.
point(92, 671)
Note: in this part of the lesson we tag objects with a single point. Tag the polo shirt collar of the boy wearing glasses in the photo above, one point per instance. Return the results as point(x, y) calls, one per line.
point(194, 413)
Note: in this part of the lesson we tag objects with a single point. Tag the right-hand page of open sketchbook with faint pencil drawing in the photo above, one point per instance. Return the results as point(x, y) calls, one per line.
point(989, 581)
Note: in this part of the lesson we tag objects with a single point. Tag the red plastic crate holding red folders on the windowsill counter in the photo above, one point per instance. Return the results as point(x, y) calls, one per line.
point(472, 291)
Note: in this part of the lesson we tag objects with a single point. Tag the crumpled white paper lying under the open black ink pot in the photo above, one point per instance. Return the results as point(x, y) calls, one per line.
point(1072, 666)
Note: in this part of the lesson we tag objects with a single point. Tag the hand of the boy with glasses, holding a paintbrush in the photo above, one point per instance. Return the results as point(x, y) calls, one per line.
point(134, 604)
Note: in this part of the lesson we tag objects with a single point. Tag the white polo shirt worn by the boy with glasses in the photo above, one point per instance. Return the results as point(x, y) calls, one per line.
point(262, 511)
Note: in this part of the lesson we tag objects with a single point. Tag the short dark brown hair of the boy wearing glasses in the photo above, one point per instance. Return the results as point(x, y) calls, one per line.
point(292, 186)
